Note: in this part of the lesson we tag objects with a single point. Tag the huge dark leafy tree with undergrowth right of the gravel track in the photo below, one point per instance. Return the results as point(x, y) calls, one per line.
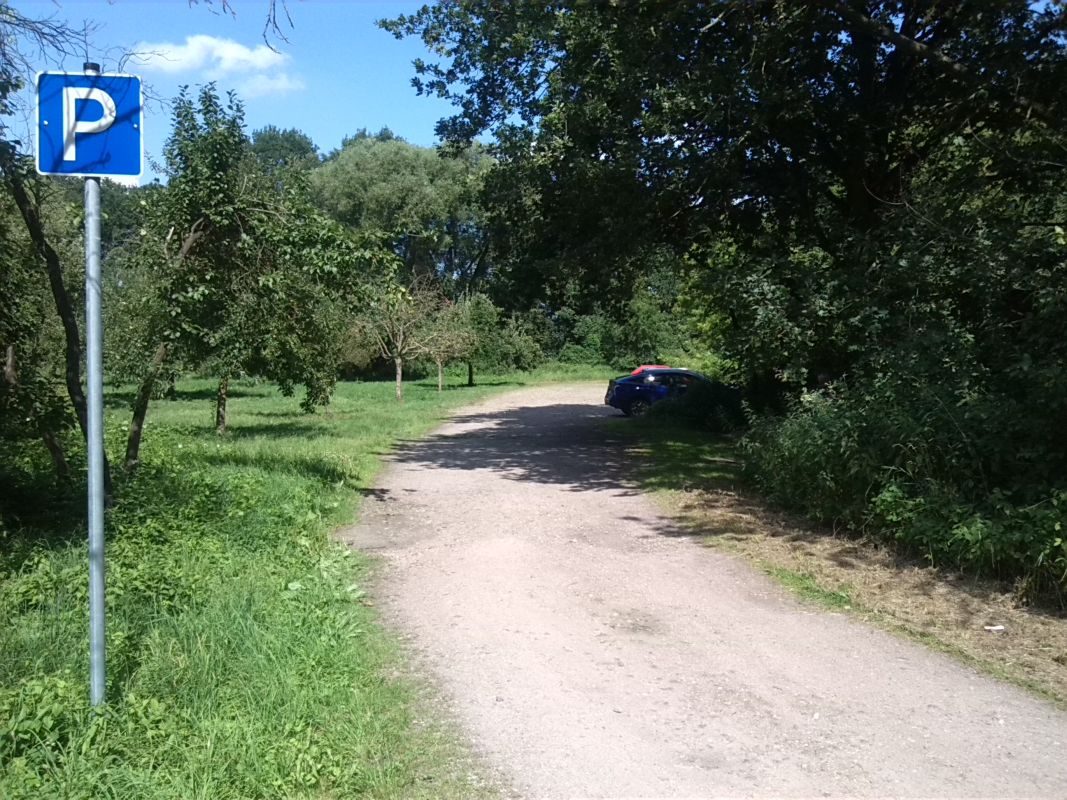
point(879, 209)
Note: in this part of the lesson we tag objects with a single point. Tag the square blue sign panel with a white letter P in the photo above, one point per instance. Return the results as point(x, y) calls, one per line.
point(89, 125)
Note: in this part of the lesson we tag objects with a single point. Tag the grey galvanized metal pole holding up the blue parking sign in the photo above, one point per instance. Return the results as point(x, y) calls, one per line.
point(94, 376)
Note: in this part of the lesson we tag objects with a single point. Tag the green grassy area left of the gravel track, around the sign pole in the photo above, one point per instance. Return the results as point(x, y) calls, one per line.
point(244, 662)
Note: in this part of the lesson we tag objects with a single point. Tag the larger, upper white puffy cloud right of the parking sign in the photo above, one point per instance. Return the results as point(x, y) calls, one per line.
point(217, 57)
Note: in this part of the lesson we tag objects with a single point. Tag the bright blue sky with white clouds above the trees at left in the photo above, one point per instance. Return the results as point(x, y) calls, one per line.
point(337, 74)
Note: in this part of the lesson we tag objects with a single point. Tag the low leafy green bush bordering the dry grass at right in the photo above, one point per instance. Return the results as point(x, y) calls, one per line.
point(900, 460)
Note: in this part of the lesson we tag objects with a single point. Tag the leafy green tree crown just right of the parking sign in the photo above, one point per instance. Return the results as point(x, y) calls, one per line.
point(237, 271)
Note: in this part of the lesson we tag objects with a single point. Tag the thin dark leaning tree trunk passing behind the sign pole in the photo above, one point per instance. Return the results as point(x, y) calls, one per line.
point(63, 308)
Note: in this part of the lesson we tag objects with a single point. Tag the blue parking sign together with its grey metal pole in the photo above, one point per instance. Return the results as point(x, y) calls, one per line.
point(90, 125)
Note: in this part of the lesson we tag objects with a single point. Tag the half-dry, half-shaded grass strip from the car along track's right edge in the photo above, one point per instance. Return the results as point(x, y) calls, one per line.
point(697, 478)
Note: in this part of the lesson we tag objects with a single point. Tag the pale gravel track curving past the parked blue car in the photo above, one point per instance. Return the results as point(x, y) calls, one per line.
point(590, 649)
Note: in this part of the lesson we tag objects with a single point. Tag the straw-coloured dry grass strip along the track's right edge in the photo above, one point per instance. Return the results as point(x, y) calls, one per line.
point(949, 613)
